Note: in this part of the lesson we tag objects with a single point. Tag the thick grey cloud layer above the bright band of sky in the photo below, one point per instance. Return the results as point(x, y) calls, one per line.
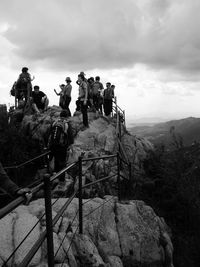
point(88, 34)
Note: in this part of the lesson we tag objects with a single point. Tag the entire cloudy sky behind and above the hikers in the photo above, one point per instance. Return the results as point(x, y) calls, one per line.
point(150, 49)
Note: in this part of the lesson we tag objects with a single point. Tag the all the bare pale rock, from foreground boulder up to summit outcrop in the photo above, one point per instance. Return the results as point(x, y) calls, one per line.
point(115, 233)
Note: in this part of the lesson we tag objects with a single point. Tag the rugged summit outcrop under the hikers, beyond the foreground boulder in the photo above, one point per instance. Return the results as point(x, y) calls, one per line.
point(98, 140)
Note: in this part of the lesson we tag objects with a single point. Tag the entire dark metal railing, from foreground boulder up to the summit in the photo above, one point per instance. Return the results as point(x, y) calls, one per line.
point(46, 185)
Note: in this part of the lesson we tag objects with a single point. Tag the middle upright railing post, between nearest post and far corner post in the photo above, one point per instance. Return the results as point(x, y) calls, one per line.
point(80, 198)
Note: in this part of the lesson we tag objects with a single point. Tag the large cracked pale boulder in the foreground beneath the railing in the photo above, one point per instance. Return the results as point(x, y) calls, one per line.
point(114, 234)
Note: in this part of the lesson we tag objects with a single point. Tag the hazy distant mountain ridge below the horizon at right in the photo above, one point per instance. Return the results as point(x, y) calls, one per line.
point(187, 128)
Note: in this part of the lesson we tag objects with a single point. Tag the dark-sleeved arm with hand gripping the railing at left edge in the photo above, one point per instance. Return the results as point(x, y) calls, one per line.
point(11, 188)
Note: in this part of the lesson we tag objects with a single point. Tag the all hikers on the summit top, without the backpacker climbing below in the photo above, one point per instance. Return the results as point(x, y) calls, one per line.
point(91, 94)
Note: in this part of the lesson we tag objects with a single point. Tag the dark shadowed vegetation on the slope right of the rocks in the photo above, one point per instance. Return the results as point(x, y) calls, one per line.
point(171, 186)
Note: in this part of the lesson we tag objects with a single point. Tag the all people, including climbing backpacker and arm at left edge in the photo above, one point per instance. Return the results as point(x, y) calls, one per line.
point(91, 95)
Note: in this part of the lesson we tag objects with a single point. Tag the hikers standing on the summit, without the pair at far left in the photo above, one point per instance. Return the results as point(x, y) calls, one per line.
point(91, 95)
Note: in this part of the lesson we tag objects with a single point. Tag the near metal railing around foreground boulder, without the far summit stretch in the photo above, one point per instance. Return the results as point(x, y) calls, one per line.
point(46, 185)
